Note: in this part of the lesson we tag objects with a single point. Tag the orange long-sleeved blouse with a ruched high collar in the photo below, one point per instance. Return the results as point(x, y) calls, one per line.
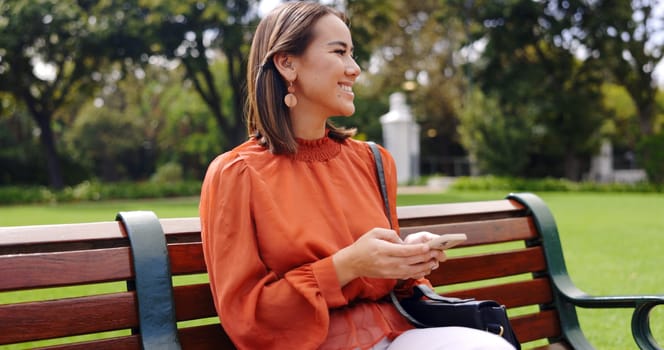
point(270, 224)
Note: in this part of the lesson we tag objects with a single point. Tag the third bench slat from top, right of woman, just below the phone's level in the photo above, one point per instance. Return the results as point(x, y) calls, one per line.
point(490, 265)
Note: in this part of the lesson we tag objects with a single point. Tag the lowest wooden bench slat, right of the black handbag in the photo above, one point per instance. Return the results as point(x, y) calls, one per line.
point(532, 327)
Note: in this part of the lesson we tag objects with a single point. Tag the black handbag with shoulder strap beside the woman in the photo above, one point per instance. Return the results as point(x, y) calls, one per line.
point(426, 308)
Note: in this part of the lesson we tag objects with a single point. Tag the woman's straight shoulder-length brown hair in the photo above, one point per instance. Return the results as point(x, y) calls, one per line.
point(286, 29)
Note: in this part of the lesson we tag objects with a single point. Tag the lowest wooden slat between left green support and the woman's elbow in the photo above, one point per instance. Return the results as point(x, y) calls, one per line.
point(206, 337)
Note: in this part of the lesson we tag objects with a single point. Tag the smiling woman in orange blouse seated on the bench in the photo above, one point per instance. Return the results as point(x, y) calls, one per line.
point(294, 216)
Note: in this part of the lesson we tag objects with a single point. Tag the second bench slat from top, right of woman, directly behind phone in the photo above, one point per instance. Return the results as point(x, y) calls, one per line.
point(483, 231)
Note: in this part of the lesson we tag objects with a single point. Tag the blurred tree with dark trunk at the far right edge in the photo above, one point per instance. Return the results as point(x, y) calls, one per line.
point(623, 36)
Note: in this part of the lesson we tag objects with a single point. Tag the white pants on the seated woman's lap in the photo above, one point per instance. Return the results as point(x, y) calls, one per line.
point(445, 338)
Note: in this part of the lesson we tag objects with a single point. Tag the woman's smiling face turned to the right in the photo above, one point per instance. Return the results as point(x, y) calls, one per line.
point(326, 71)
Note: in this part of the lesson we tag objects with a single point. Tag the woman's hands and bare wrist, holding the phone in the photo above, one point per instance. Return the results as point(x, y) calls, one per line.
point(380, 253)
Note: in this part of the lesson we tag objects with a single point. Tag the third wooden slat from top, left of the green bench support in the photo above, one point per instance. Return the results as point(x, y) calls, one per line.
point(65, 317)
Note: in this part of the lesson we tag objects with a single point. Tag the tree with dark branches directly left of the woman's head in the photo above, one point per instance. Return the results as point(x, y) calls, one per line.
point(196, 34)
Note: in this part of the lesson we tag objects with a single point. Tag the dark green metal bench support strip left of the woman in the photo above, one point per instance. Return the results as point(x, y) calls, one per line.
point(154, 287)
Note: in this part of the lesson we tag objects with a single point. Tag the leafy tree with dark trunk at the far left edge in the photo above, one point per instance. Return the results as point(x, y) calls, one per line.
point(50, 50)
